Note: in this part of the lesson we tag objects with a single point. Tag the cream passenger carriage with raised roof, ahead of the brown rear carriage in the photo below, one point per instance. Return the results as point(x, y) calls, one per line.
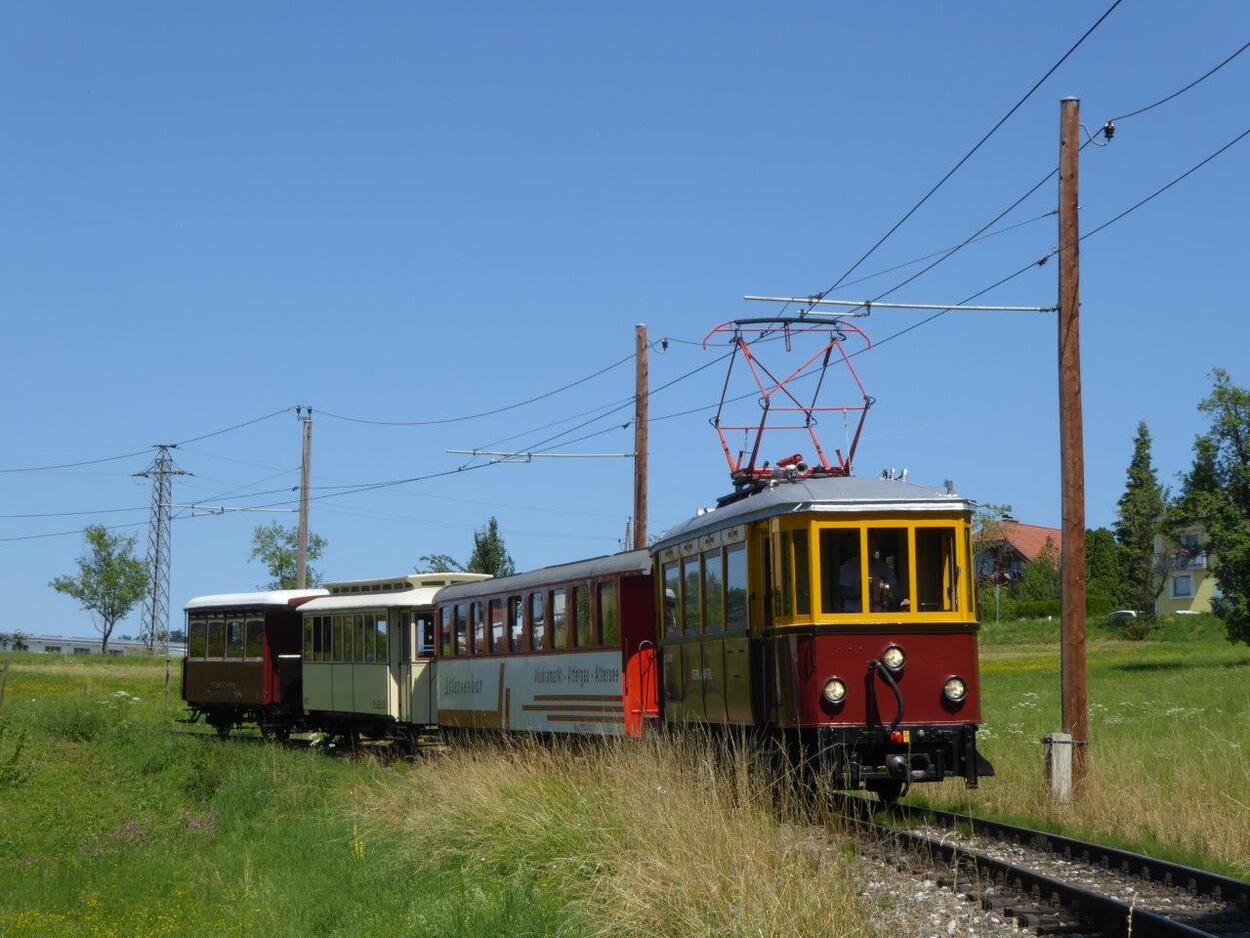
point(367, 653)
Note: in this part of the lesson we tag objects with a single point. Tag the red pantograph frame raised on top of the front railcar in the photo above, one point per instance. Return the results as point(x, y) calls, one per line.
point(788, 328)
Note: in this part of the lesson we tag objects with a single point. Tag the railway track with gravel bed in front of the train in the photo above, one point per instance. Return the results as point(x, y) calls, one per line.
point(1053, 885)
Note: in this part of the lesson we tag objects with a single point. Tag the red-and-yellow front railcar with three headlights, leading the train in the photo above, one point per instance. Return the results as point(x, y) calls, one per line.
point(836, 613)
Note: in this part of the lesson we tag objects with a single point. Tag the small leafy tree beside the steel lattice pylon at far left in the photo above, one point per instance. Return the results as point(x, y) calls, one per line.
point(111, 581)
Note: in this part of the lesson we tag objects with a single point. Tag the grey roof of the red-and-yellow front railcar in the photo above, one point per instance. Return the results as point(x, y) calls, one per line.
point(829, 495)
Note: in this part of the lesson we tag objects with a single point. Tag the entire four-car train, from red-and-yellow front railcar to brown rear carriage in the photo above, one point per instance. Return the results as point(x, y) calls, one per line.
point(834, 615)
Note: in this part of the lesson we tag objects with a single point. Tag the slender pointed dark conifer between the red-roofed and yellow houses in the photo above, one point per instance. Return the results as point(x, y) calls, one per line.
point(1141, 517)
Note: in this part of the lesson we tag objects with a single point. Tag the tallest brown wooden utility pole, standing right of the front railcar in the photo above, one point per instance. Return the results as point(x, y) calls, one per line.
point(1072, 441)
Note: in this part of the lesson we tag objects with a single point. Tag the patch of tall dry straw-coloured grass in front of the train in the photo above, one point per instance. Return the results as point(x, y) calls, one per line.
point(658, 839)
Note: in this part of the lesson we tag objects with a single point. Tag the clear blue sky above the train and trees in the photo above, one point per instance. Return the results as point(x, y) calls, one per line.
point(417, 211)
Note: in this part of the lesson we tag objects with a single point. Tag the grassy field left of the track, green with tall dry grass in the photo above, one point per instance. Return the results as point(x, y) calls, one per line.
point(117, 822)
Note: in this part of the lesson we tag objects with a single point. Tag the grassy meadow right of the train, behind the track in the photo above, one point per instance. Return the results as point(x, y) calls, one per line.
point(1169, 740)
